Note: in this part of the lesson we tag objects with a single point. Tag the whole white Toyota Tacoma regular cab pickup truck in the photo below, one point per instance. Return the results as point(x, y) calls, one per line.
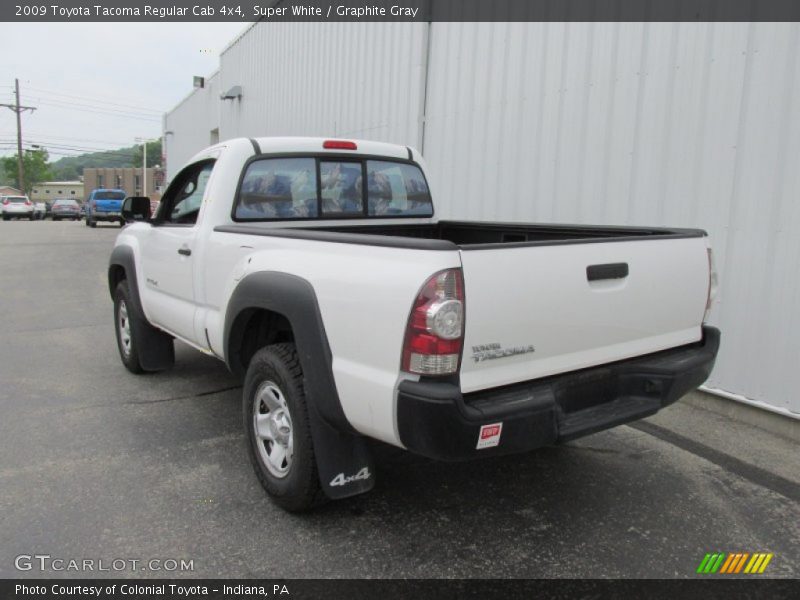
point(316, 270)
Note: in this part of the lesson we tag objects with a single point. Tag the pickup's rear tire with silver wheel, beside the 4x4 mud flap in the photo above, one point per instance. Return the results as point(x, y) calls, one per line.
point(274, 386)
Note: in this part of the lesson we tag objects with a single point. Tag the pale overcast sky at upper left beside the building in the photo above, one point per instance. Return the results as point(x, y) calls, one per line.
point(100, 85)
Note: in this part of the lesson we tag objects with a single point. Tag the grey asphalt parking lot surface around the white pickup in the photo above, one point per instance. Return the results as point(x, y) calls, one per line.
point(97, 463)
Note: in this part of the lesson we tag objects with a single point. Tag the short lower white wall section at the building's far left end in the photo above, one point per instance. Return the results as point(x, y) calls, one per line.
point(191, 123)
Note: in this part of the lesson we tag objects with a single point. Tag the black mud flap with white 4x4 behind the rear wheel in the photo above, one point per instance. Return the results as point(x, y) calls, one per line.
point(344, 461)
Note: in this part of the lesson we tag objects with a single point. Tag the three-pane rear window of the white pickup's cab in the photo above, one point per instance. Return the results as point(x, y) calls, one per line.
point(330, 187)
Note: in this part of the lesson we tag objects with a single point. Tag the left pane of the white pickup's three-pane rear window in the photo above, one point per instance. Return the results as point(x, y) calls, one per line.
point(278, 188)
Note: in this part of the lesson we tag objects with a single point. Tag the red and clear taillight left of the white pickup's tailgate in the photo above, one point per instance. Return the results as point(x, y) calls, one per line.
point(435, 331)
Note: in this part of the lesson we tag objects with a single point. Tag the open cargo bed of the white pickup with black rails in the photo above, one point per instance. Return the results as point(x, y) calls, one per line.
point(464, 235)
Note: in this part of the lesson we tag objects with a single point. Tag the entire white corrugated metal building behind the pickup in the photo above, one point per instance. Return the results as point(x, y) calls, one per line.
point(677, 124)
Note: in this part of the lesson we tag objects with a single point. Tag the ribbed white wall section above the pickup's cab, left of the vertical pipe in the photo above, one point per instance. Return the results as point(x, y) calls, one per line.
point(336, 79)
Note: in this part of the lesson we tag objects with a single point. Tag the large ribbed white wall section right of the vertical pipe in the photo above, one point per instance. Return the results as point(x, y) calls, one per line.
point(686, 124)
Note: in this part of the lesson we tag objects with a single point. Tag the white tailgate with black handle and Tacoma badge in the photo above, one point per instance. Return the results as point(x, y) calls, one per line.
point(539, 310)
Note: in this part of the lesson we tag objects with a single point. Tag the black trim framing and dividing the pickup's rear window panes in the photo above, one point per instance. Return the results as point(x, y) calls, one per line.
point(330, 157)
